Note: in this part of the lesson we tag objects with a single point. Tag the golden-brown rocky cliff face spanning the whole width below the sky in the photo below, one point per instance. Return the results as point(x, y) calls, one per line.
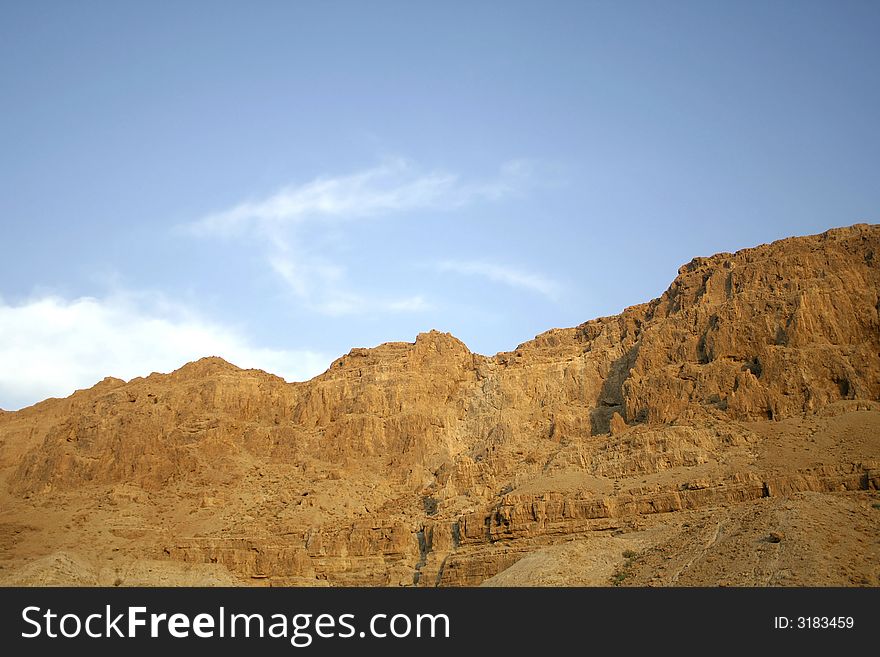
point(423, 463)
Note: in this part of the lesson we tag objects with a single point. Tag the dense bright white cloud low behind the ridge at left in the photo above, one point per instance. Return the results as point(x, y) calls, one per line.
point(51, 346)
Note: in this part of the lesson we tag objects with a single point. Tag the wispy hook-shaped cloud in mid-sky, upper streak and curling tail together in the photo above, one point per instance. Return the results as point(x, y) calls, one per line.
point(396, 186)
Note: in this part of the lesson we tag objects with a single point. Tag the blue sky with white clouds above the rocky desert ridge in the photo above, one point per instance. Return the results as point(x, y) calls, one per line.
point(276, 183)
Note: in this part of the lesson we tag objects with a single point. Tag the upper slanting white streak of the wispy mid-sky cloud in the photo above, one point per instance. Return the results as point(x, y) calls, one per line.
point(396, 185)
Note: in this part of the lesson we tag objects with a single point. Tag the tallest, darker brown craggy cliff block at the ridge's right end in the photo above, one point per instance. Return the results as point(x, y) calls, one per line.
point(769, 332)
